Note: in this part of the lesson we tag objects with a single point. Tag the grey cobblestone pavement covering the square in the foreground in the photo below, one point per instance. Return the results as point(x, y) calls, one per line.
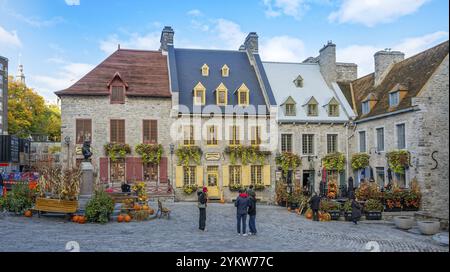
point(278, 230)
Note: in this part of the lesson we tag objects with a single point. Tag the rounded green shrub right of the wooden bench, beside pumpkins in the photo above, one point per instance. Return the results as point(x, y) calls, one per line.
point(99, 208)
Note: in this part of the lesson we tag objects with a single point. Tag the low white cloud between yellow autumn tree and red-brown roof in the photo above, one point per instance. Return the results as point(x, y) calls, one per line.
point(67, 75)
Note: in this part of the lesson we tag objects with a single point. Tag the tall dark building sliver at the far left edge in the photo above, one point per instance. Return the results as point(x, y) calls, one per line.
point(3, 95)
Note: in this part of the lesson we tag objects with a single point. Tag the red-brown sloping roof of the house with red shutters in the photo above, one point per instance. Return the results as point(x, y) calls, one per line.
point(145, 73)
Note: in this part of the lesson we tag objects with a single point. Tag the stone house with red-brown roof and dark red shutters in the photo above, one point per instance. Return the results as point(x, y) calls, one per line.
point(125, 100)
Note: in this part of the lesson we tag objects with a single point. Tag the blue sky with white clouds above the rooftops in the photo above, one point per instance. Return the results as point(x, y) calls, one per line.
point(59, 41)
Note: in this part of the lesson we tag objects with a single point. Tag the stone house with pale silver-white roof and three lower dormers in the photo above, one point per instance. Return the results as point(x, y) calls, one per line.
point(313, 114)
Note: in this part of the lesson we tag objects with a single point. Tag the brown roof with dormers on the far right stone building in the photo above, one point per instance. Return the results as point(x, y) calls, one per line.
point(409, 75)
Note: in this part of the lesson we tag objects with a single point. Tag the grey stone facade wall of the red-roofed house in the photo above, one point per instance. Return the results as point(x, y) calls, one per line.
point(100, 111)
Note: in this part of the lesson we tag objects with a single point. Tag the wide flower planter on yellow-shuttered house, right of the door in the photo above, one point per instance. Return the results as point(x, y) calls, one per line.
point(247, 154)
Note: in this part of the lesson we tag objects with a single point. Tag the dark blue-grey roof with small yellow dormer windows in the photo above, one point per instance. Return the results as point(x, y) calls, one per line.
point(185, 73)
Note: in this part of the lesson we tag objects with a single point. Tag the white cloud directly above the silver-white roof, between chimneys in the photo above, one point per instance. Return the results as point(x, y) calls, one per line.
point(282, 48)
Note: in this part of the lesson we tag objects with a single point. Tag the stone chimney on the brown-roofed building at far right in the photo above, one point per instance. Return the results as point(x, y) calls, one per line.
point(384, 61)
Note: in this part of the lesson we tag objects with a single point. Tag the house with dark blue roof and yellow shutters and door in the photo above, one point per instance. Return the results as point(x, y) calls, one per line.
point(223, 102)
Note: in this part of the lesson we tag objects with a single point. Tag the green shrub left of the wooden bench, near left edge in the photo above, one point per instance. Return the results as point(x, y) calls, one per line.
point(19, 199)
